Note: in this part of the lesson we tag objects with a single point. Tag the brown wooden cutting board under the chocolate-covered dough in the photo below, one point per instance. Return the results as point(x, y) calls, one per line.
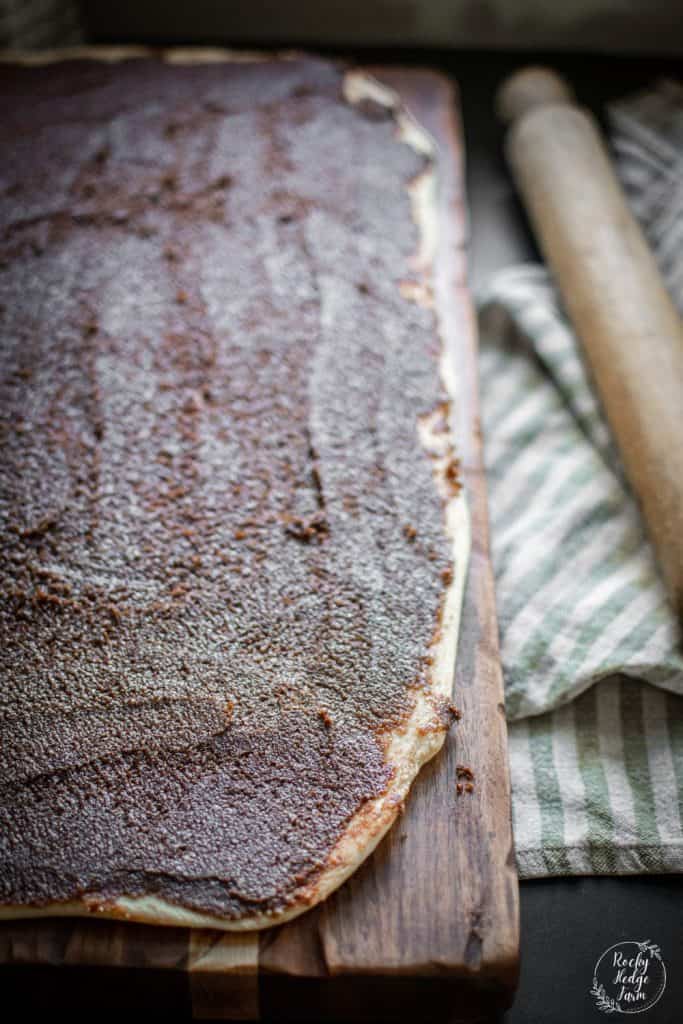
point(432, 919)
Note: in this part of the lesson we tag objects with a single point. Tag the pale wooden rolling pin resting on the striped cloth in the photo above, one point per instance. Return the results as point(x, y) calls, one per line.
point(630, 330)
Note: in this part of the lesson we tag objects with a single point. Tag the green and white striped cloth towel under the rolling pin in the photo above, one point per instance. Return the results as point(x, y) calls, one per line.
point(592, 657)
